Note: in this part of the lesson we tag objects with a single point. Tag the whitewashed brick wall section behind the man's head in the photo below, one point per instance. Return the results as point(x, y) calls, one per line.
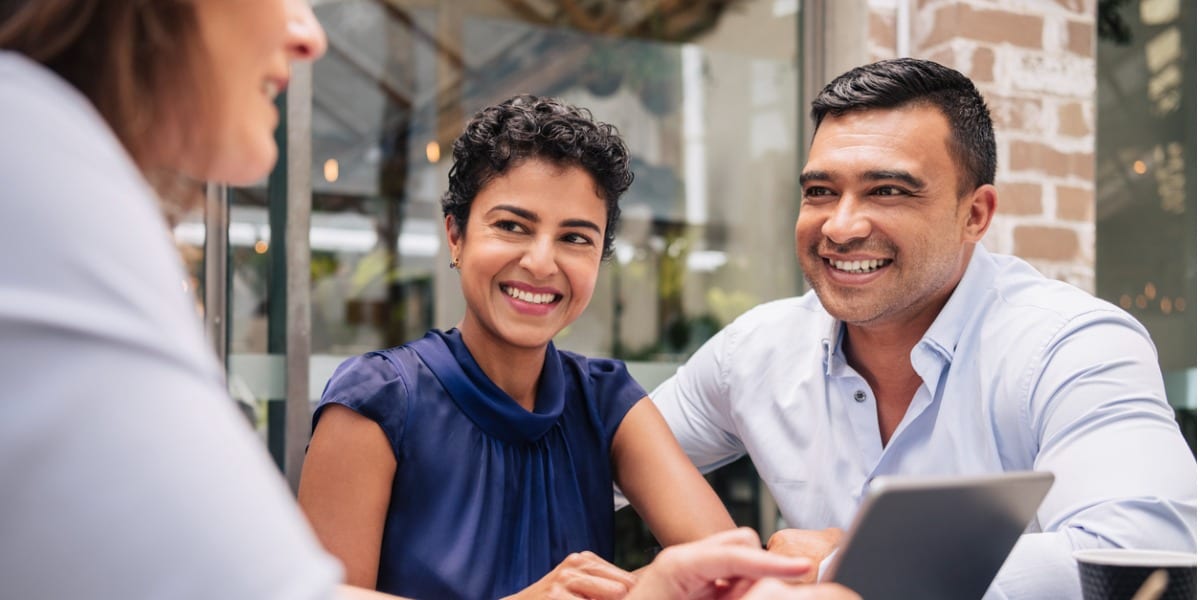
point(1035, 63)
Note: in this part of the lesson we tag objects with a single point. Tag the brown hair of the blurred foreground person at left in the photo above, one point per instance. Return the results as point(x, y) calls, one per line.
point(136, 61)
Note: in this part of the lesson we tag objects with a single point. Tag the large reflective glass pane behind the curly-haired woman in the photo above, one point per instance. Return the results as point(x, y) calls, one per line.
point(712, 134)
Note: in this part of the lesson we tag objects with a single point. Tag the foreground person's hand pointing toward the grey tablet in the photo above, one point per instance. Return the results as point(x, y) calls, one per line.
point(724, 566)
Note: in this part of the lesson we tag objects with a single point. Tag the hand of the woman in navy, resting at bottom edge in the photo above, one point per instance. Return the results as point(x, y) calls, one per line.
point(581, 575)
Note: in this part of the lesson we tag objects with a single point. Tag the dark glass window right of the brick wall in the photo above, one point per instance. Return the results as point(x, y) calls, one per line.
point(1147, 159)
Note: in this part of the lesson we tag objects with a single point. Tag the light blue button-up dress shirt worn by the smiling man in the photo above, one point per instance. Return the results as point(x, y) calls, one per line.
point(1019, 373)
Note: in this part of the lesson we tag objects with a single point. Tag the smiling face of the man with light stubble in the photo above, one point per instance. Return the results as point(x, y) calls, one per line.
point(884, 236)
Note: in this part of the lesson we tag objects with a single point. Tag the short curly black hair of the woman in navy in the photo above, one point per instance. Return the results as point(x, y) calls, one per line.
point(523, 128)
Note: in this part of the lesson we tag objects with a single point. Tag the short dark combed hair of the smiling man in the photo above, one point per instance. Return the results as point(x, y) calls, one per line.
point(904, 82)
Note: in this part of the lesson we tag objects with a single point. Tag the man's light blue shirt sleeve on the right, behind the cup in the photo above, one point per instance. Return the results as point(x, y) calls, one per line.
point(1125, 476)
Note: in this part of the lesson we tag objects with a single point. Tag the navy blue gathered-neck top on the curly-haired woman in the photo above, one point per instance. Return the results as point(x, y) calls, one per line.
point(488, 497)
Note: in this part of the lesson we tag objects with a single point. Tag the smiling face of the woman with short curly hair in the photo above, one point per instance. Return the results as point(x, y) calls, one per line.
point(530, 256)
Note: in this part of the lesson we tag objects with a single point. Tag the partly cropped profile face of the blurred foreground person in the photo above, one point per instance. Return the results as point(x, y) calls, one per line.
point(248, 46)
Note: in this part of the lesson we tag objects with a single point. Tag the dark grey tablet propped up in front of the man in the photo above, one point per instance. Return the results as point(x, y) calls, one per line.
point(937, 538)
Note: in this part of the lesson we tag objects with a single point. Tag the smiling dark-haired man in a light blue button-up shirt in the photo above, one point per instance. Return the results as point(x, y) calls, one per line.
point(920, 352)
